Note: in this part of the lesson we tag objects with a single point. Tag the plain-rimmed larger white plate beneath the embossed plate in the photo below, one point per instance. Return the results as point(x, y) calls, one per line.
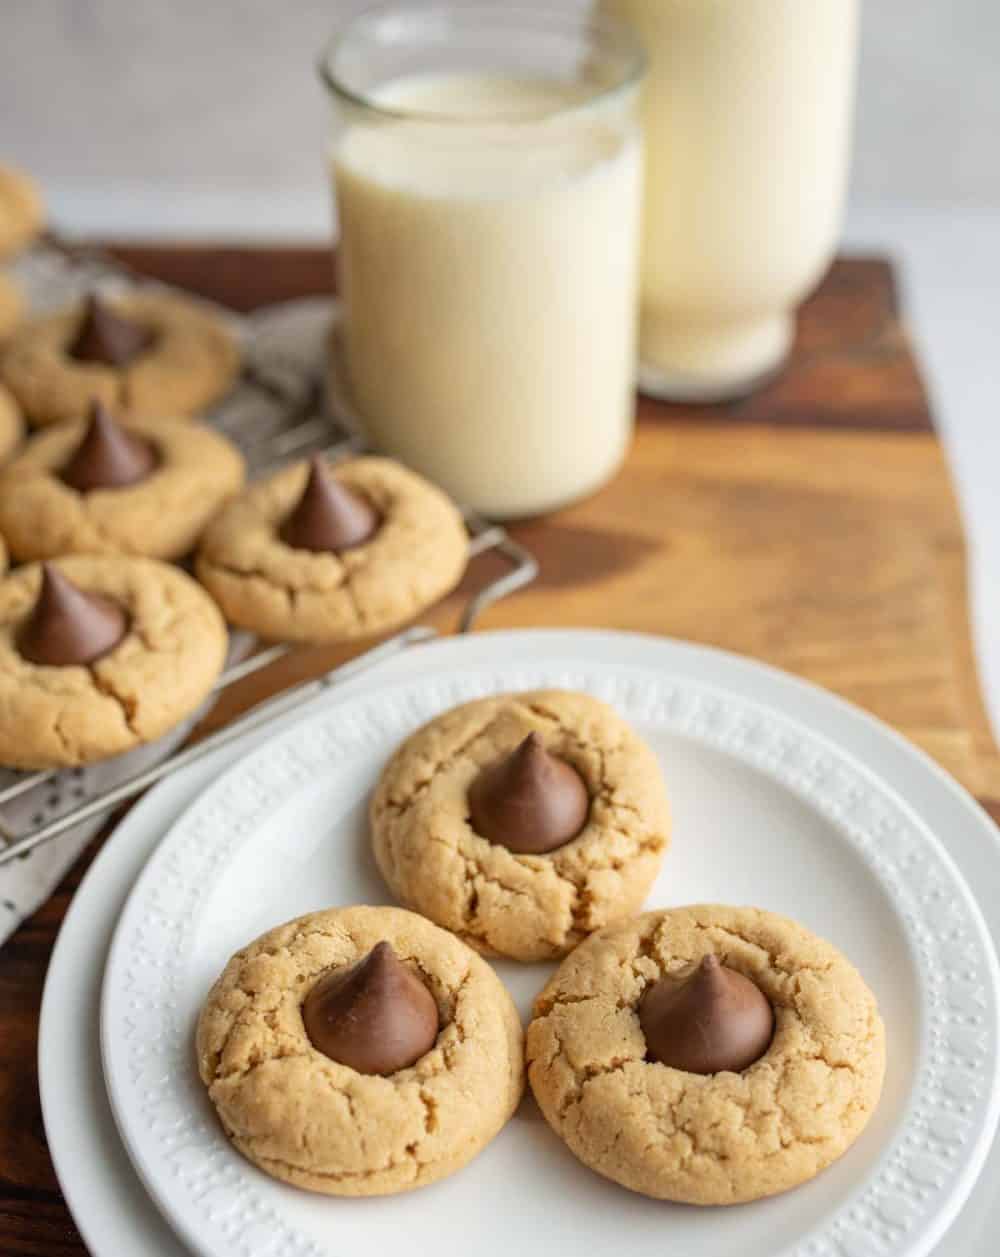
point(105, 1196)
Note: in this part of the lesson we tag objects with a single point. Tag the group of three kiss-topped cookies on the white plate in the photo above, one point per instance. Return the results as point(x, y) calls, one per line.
point(707, 1055)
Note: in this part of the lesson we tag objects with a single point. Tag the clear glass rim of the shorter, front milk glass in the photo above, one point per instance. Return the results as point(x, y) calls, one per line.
point(557, 19)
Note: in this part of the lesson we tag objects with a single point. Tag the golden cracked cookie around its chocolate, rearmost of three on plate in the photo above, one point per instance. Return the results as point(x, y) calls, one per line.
point(503, 903)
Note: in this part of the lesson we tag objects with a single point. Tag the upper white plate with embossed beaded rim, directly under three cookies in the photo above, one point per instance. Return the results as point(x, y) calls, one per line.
point(768, 811)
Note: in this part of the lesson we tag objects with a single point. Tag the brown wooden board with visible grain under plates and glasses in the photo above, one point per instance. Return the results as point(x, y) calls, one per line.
point(812, 526)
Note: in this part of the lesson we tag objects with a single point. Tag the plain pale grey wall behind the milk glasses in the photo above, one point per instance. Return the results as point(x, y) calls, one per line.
point(194, 92)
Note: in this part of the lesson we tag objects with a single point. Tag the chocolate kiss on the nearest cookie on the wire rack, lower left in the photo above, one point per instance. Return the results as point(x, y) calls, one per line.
point(68, 625)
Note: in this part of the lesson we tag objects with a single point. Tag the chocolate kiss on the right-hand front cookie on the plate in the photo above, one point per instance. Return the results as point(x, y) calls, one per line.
point(712, 1021)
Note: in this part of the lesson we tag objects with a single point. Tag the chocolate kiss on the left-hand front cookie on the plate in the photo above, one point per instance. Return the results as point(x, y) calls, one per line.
point(378, 1016)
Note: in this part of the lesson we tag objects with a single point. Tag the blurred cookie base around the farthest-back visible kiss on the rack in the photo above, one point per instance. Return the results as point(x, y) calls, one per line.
point(189, 363)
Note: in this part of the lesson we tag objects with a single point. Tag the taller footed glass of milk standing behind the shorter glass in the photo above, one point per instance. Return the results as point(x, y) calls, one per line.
point(747, 110)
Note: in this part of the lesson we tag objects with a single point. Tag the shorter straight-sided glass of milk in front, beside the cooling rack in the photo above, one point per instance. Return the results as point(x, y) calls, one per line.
point(488, 178)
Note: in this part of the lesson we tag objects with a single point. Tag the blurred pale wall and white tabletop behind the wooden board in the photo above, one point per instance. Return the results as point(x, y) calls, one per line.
point(207, 119)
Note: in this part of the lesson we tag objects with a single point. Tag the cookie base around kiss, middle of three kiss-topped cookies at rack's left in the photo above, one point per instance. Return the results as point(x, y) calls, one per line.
point(160, 516)
